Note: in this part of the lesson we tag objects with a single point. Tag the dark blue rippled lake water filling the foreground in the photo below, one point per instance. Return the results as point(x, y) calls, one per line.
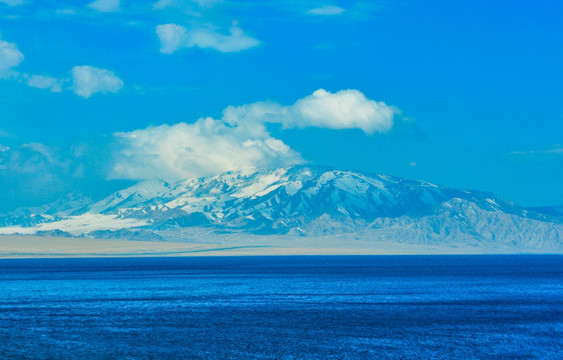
point(349, 307)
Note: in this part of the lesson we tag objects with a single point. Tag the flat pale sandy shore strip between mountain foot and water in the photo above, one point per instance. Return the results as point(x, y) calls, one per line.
point(30, 246)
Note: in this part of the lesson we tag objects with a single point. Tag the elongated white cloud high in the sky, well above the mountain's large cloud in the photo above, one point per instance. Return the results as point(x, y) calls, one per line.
point(173, 37)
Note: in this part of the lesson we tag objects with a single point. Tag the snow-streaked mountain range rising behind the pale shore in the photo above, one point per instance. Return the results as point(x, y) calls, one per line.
point(301, 201)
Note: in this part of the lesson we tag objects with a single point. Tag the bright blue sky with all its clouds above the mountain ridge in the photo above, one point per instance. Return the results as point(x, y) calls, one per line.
point(96, 95)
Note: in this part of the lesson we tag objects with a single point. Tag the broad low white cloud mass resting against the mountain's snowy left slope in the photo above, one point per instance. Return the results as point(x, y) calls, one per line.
point(206, 147)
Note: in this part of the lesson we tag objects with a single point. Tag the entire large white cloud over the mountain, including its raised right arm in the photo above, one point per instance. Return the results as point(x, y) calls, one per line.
point(240, 138)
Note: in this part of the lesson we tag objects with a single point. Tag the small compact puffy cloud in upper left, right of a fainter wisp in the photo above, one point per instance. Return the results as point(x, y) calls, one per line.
point(88, 80)
